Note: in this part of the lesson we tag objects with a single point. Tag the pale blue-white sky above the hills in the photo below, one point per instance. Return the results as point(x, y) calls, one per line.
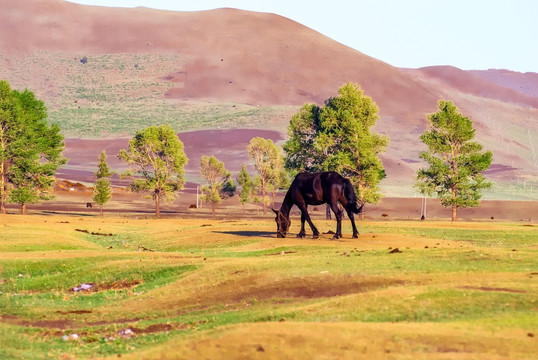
point(468, 34)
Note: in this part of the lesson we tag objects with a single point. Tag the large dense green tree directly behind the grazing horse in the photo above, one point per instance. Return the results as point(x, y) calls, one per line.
point(337, 137)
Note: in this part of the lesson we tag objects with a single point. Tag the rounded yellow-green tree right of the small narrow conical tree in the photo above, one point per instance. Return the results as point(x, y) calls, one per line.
point(156, 155)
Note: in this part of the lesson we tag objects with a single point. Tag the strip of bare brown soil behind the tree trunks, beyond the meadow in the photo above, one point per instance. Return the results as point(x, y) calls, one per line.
point(129, 204)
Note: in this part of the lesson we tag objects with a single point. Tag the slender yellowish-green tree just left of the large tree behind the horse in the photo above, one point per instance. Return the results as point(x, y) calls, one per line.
point(268, 162)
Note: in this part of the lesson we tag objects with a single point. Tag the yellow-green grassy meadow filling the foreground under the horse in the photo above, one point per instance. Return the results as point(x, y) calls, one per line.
point(204, 288)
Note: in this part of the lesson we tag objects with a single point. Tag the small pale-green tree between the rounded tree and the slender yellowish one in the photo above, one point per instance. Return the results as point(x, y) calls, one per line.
point(220, 185)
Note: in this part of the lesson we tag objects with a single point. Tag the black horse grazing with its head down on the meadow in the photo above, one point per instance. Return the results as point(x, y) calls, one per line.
point(316, 189)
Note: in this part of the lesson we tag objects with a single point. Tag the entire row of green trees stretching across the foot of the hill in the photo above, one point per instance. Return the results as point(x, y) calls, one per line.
point(335, 136)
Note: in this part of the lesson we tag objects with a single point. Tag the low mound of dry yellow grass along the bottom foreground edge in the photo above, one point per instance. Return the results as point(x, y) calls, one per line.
point(292, 340)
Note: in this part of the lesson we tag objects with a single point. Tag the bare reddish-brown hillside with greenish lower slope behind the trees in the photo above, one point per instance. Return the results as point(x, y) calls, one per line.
point(110, 71)
